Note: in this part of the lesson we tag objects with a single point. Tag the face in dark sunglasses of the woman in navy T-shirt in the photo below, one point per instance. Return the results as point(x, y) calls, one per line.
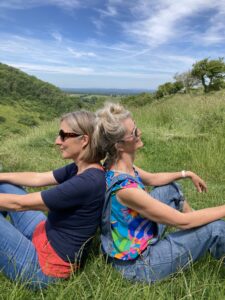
point(71, 147)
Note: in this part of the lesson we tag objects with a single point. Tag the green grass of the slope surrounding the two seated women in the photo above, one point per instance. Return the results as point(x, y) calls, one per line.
point(182, 132)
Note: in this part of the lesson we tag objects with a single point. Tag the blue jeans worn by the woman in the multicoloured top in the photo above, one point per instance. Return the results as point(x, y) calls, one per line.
point(176, 250)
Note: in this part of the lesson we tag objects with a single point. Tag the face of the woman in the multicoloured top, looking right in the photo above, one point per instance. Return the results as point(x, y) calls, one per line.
point(132, 138)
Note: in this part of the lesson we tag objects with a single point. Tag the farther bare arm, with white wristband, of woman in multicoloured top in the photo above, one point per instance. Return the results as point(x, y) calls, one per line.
point(157, 179)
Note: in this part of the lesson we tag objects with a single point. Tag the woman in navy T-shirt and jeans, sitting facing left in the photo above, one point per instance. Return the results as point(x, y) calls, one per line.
point(39, 250)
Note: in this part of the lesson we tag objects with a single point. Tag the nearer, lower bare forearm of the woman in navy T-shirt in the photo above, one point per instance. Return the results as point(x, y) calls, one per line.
point(32, 201)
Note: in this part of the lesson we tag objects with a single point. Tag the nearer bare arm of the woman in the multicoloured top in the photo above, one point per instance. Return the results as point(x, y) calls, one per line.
point(159, 212)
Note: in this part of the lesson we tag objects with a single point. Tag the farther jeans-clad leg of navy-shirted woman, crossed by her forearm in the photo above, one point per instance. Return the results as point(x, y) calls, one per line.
point(25, 221)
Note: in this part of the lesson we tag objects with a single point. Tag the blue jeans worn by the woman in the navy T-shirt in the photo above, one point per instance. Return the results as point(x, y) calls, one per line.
point(18, 256)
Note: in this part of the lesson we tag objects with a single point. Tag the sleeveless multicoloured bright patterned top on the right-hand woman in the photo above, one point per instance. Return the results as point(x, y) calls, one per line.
point(131, 232)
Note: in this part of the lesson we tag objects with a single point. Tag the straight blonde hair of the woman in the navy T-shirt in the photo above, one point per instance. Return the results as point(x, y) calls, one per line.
point(84, 122)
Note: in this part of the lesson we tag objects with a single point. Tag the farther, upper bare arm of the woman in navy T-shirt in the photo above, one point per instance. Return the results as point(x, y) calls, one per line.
point(32, 179)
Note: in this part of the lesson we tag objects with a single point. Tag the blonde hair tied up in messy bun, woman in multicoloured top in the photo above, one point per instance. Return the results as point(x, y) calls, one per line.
point(110, 130)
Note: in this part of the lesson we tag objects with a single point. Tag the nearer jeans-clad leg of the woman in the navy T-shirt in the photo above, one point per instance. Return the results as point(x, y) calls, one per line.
point(18, 257)
